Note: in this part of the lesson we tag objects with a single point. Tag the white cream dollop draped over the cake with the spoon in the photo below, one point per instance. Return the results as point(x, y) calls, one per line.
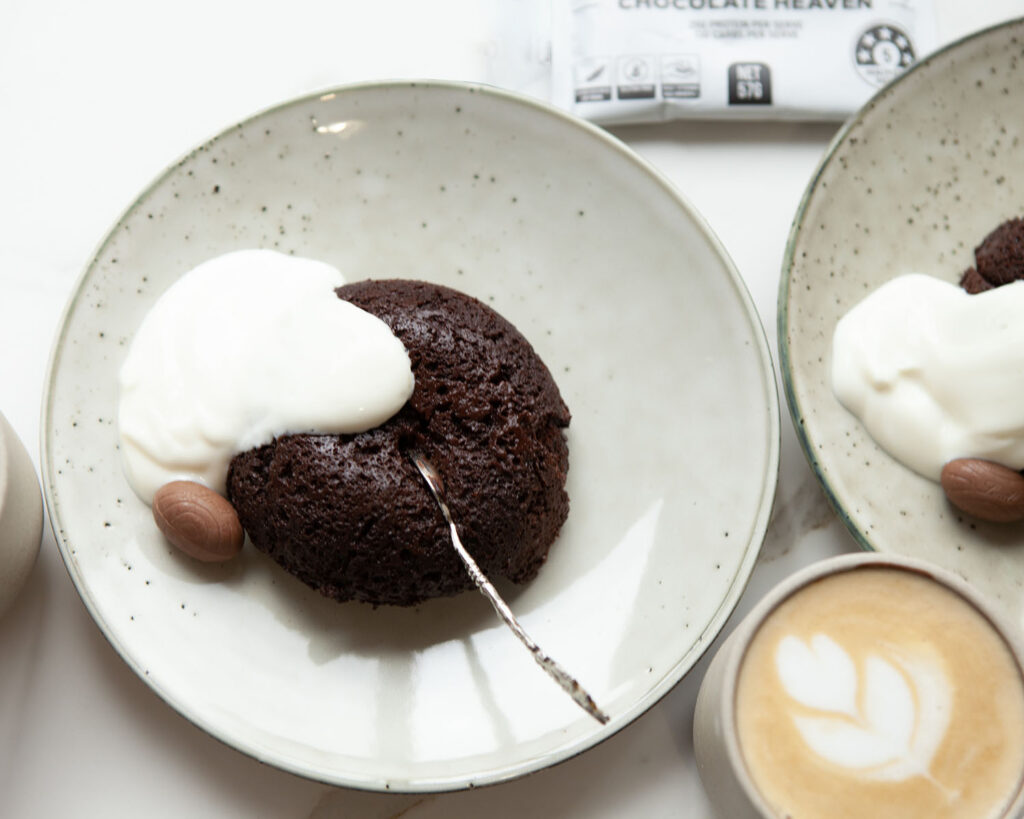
point(246, 348)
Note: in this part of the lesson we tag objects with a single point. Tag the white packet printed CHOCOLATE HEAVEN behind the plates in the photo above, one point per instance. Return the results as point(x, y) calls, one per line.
point(648, 61)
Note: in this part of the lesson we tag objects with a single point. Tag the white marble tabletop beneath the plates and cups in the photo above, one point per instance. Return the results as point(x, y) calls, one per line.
point(96, 99)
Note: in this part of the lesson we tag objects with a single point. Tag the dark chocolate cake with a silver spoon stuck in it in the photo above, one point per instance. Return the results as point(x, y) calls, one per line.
point(351, 516)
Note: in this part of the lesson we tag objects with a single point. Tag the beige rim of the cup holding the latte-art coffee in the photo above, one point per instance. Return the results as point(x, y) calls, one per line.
point(829, 568)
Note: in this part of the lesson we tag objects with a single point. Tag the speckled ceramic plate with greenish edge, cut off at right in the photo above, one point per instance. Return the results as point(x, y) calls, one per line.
point(914, 183)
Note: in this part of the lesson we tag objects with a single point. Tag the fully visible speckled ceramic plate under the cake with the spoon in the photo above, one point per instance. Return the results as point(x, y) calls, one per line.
point(643, 320)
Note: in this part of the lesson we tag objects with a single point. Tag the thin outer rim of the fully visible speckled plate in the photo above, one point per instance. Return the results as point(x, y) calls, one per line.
point(530, 764)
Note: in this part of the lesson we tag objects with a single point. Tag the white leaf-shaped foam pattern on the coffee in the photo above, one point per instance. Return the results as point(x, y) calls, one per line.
point(884, 719)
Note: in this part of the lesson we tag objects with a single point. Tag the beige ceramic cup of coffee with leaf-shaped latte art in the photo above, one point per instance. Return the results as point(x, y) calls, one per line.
point(866, 686)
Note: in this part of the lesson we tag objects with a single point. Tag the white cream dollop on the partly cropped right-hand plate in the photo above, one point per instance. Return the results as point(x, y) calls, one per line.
point(934, 373)
